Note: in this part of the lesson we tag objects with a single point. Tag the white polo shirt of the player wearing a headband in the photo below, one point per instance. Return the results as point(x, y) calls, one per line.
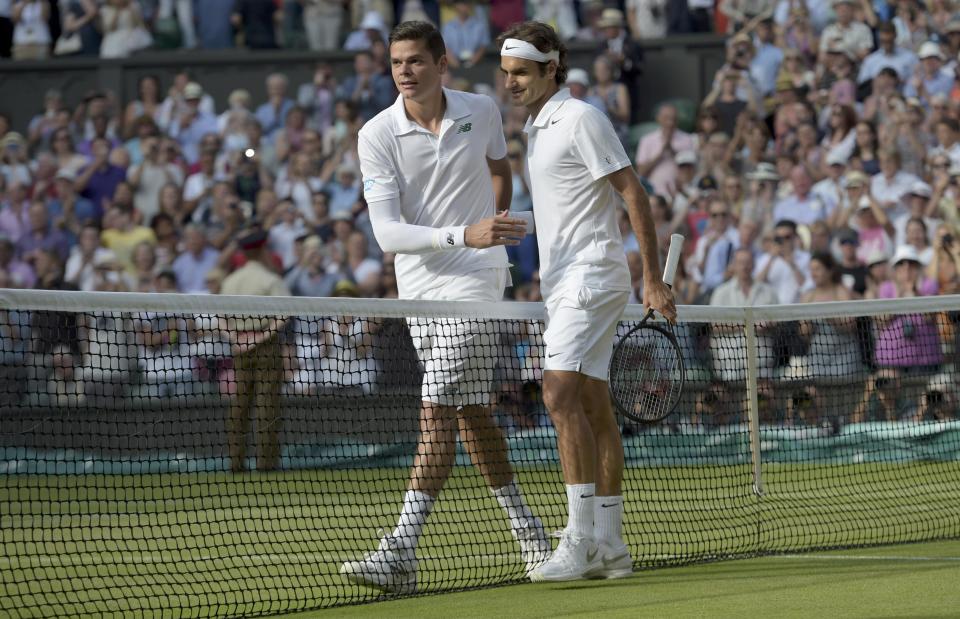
point(572, 147)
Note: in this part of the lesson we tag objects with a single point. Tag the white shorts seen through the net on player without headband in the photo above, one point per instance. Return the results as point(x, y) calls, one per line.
point(459, 355)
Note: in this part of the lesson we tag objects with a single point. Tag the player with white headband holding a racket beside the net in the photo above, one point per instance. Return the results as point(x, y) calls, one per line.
point(576, 164)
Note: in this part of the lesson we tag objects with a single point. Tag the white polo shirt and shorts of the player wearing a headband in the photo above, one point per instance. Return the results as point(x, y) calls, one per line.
point(584, 277)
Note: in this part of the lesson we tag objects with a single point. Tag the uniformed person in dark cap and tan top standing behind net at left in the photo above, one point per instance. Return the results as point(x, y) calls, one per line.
point(257, 347)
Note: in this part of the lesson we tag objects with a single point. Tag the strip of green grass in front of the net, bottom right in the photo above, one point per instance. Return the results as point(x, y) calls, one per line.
point(914, 580)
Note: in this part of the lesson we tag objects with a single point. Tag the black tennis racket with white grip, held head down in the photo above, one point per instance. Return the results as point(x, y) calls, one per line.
point(646, 369)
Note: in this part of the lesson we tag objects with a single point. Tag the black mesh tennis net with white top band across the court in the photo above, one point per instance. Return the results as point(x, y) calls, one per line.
point(159, 458)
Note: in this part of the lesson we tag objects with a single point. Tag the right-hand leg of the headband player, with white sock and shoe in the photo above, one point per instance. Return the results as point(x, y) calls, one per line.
point(608, 504)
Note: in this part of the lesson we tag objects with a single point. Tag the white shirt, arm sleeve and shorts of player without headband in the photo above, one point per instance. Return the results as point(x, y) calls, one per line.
point(423, 184)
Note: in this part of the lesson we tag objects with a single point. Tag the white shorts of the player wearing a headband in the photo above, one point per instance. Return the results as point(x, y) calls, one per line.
point(580, 324)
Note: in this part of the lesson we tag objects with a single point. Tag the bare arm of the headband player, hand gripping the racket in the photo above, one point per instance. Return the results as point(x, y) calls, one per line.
point(656, 294)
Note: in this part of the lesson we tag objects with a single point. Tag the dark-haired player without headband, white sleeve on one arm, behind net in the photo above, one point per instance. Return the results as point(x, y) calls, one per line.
point(438, 186)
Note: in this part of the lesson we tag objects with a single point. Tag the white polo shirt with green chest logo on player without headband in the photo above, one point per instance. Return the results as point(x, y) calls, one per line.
point(440, 180)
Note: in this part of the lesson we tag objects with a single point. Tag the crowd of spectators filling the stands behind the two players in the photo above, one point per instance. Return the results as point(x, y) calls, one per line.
point(824, 164)
